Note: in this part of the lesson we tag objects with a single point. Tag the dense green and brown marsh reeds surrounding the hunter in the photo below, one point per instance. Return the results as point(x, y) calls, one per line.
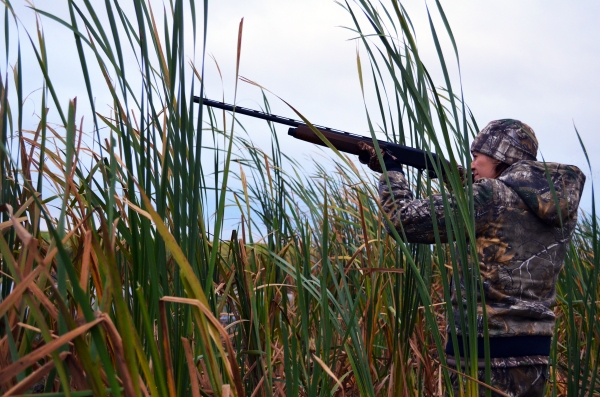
point(117, 277)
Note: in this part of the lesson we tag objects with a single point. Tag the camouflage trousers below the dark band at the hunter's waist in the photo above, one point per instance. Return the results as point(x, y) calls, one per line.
point(524, 381)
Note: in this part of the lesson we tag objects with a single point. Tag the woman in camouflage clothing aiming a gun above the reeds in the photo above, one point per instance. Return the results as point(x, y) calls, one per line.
point(523, 229)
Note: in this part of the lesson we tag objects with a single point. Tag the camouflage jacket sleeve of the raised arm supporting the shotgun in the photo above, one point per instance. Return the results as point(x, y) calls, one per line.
point(414, 218)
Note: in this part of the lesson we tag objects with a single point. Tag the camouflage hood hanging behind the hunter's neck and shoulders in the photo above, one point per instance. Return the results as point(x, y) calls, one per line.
point(530, 180)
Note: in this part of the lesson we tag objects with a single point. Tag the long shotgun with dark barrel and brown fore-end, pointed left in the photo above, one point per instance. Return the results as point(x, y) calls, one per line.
point(341, 140)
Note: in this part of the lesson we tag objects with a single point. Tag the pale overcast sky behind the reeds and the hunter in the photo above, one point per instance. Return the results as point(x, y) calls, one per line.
point(536, 60)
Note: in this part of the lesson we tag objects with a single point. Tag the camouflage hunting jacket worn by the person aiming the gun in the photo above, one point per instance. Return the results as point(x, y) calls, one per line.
point(520, 241)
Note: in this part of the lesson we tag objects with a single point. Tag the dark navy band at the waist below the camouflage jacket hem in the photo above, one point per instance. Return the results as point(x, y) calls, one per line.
point(512, 346)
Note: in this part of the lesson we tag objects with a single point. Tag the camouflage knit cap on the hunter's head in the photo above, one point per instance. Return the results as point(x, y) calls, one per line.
point(508, 141)
